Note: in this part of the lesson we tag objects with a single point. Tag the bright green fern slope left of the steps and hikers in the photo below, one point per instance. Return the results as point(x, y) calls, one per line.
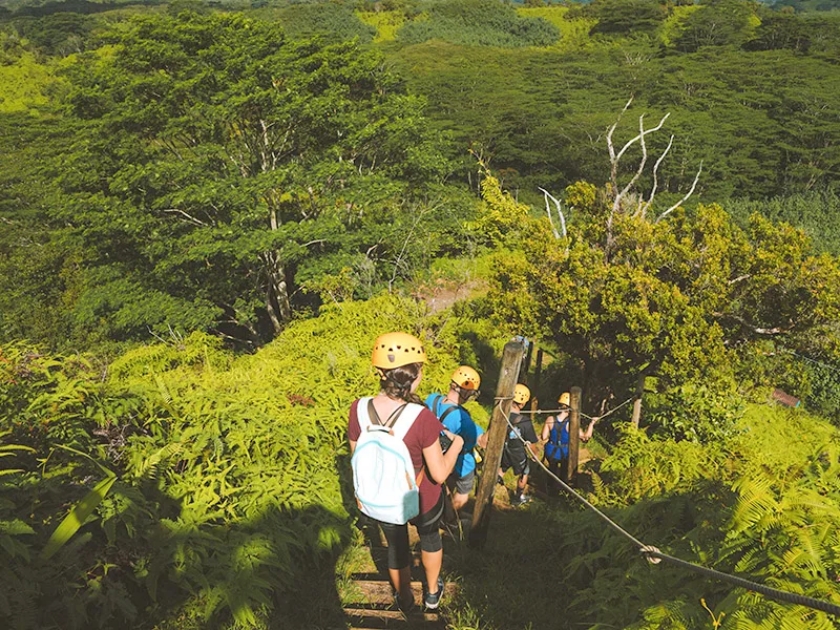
point(225, 480)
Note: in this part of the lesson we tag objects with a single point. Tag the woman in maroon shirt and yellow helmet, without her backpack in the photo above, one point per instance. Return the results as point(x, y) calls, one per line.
point(399, 358)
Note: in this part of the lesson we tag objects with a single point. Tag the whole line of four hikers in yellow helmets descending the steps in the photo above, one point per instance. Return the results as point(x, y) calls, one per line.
point(410, 460)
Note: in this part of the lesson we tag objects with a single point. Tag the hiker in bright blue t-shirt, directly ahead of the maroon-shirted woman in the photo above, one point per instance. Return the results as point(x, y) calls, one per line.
point(463, 387)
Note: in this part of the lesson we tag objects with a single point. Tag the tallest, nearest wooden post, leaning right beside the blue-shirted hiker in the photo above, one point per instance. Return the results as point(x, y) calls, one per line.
point(496, 433)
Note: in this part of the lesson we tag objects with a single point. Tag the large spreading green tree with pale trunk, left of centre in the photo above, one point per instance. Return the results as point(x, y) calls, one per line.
point(220, 159)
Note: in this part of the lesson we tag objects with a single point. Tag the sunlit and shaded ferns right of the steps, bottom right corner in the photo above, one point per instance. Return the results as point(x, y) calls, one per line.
point(738, 505)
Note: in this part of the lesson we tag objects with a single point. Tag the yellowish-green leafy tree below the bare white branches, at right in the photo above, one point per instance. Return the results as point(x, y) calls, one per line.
point(679, 300)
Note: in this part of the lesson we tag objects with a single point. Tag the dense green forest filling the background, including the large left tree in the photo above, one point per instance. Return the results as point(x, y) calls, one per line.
point(131, 201)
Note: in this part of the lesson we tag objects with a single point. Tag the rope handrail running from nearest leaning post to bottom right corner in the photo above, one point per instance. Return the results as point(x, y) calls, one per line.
point(654, 556)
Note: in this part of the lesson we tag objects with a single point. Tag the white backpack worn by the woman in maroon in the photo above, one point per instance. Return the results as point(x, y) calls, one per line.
point(383, 474)
